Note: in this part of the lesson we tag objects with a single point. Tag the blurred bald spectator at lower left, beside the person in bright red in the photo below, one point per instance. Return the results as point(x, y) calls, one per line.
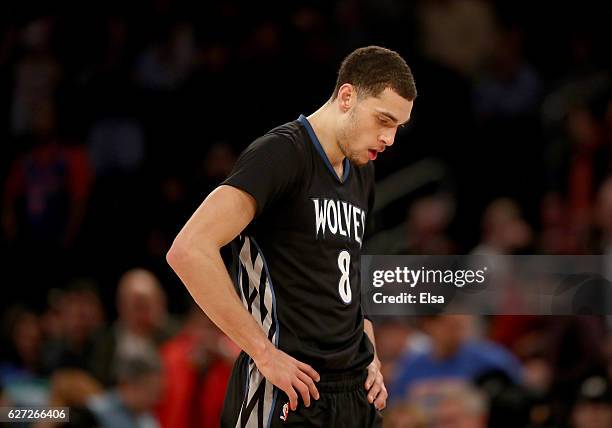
point(142, 325)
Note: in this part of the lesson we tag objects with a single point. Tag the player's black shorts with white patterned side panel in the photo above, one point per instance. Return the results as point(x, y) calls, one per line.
point(252, 401)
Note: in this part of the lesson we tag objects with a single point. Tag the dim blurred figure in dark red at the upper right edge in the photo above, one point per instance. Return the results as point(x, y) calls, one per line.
point(576, 116)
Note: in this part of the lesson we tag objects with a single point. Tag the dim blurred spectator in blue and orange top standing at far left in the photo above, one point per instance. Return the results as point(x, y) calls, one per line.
point(47, 188)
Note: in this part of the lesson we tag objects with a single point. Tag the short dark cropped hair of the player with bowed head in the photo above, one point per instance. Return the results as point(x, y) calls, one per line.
point(372, 69)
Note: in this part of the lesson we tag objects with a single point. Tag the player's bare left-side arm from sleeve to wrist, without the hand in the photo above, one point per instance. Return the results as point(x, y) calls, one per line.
point(196, 259)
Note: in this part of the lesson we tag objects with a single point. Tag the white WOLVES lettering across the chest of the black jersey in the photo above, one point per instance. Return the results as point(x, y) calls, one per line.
point(339, 218)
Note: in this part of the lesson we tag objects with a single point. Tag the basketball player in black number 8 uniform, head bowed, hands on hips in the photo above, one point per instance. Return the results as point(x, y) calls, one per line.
point(295, 208)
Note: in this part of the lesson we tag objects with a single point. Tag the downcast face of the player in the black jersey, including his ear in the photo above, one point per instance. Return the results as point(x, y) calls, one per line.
point(368, 126)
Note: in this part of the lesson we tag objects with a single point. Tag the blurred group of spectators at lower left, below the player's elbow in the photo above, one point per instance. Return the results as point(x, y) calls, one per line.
point(144, 369)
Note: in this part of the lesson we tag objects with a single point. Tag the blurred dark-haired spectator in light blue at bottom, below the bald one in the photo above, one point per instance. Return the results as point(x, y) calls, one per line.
point(139, 387)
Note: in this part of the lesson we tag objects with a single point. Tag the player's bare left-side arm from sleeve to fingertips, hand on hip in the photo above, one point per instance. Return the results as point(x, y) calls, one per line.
point(196, 259)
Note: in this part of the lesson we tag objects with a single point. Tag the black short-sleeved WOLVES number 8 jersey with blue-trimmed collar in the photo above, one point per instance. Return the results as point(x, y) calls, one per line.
point(297, 263)
